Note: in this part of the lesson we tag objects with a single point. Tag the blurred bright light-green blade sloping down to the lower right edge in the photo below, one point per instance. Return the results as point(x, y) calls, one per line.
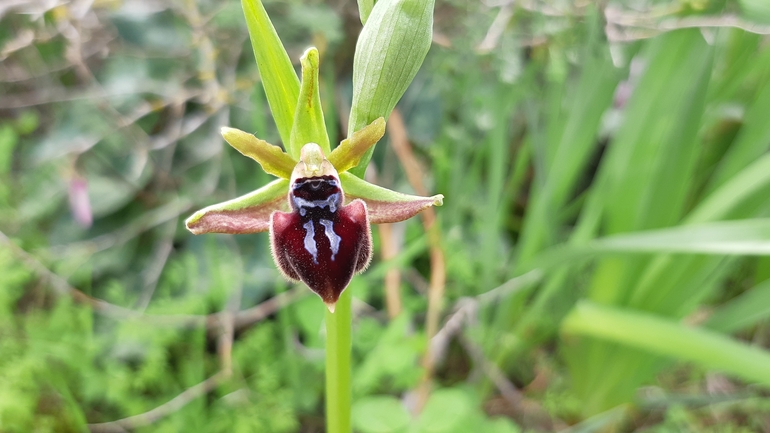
point(664, 337)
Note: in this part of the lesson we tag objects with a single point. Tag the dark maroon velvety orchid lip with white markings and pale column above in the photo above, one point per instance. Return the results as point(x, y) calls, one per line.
point(320, 242)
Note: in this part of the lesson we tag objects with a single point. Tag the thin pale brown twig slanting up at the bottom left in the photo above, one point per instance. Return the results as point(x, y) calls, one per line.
point(162, 411)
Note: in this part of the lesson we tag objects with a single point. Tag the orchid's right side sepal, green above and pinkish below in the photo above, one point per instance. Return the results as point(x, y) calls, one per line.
point(384, 205)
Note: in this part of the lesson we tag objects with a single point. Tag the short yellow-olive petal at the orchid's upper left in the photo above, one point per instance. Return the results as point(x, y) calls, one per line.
point(272, 158)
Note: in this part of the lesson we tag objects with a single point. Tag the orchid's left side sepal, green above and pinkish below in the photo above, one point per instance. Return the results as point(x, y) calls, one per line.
point(246, 214)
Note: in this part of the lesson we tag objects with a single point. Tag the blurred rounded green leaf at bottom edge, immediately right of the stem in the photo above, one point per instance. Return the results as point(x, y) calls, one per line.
point(379, 414)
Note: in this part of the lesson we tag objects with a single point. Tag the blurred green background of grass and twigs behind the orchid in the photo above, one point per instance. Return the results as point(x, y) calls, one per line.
point(583, 277)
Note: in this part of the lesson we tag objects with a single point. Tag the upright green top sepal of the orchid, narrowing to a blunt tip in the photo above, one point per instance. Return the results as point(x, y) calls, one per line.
point(309, 126)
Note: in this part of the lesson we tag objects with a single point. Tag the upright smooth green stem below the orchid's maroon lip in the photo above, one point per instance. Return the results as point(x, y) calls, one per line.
point(338, 346)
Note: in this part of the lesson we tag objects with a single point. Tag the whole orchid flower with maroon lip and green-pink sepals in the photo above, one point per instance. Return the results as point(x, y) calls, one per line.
point(317, 213)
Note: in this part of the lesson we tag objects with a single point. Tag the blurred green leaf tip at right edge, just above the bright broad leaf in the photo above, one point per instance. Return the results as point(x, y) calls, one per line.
point(744, 311)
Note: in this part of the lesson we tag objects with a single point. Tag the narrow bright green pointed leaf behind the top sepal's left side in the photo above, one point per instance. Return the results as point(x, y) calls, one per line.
point(278, 77)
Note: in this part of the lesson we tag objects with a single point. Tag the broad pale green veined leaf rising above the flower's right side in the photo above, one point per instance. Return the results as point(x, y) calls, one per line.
point(389, 52)
